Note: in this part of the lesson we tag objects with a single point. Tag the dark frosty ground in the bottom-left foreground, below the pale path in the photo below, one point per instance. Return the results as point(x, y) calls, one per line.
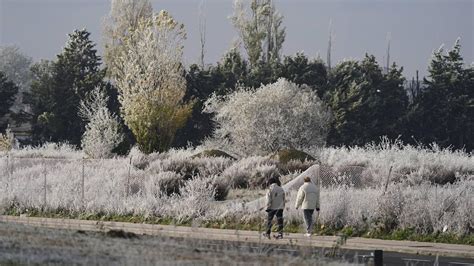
point(21, 244)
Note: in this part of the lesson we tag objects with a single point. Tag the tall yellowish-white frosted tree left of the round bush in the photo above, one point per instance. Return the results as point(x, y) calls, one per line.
point(153, 85)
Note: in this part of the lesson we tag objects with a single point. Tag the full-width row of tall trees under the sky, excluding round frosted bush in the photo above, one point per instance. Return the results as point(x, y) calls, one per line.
point(158, 101)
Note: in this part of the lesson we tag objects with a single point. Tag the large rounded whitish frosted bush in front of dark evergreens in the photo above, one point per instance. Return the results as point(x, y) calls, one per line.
point(270, 118)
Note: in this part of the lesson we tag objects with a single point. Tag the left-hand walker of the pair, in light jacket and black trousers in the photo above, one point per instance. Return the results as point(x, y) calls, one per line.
point(275, 203)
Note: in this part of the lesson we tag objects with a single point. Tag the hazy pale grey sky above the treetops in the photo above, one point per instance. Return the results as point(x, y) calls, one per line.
point(417, 27)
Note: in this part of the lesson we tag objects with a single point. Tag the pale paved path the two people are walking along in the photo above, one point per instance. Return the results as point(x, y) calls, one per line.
point(356, 243)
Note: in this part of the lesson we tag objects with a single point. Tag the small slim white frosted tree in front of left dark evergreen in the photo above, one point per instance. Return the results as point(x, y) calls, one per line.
point(103, 132)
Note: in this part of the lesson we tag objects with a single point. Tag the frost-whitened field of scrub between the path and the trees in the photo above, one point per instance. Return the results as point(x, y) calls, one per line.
point(429, 190)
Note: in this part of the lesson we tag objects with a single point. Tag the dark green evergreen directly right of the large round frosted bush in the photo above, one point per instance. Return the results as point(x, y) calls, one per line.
point(366, 103)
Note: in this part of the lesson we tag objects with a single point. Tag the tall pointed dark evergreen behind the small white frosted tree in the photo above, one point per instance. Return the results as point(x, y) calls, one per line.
point(59, 86)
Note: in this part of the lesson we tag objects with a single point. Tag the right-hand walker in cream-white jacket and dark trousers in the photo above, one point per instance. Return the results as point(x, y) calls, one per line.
point(308, 200)
